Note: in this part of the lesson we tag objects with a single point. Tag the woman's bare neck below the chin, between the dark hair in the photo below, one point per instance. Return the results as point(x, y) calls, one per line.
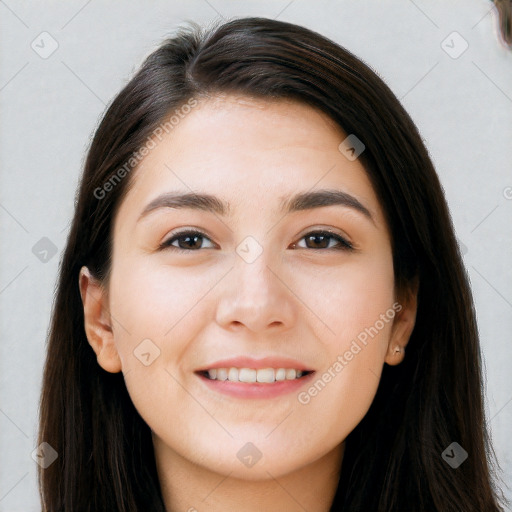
point(188, 487)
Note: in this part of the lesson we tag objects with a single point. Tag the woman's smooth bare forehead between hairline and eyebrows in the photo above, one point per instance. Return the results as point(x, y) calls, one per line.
point(250, 152)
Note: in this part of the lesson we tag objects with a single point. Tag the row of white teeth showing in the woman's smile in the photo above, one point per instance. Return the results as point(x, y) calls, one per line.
point(254, 375)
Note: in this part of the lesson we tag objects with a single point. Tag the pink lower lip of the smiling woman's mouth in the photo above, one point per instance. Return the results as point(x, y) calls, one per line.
point(257, 389)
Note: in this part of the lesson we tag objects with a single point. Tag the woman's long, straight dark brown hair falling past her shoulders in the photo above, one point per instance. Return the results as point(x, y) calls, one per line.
point(393, 459)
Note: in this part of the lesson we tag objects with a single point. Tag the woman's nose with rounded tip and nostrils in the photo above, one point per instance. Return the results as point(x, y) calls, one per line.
point(257, 297)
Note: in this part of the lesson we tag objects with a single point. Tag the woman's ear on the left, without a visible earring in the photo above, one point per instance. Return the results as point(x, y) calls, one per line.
point(97, 321)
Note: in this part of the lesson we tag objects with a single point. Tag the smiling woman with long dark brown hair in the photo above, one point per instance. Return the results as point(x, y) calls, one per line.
point(192, 362)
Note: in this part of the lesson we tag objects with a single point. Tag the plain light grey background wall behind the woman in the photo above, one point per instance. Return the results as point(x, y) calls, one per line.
point(50, 107)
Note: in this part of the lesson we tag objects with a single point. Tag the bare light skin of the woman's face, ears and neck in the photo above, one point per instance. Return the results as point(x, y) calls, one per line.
point(208, 303)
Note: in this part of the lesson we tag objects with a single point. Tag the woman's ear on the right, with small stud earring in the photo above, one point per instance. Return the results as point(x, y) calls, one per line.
point(403, 325)
